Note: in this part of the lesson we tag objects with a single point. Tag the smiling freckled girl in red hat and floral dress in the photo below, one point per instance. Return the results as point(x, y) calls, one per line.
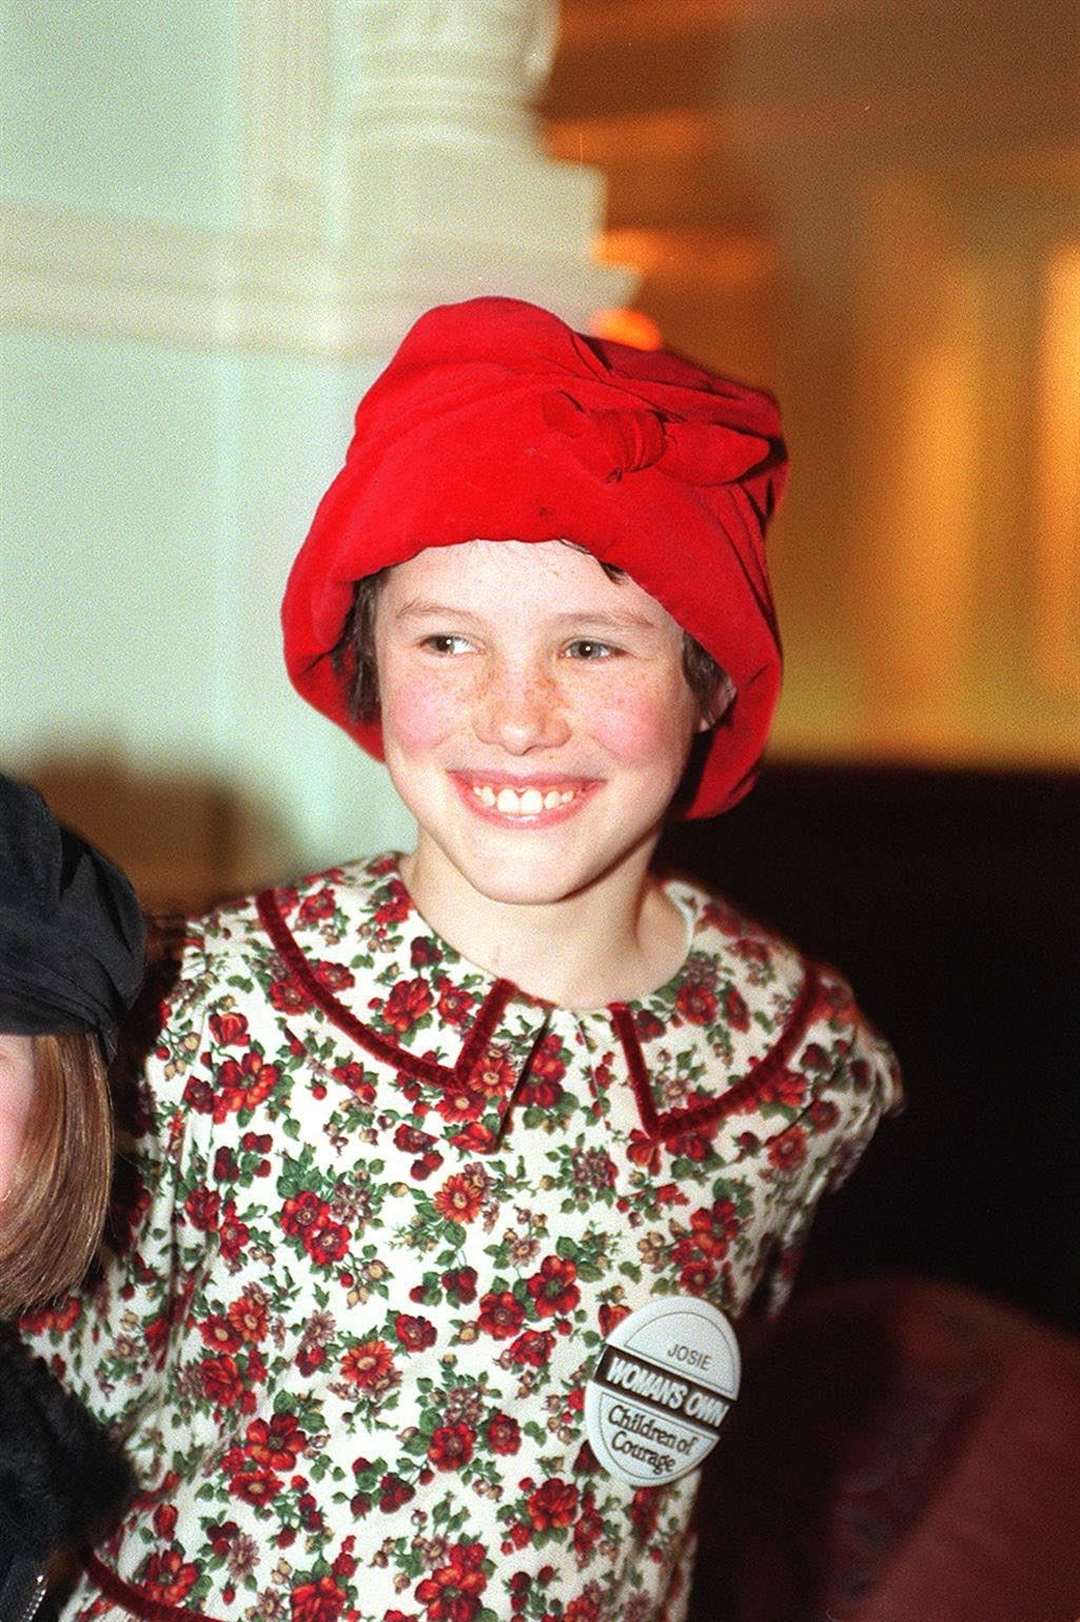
point(460, 1169)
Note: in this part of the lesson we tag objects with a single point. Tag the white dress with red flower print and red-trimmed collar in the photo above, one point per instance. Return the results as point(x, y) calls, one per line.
point(384, 1214)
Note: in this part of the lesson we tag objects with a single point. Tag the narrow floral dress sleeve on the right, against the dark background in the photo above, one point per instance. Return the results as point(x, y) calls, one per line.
point(854, 1079)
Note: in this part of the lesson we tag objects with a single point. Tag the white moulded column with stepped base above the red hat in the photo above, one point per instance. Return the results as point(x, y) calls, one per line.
point(450, 194)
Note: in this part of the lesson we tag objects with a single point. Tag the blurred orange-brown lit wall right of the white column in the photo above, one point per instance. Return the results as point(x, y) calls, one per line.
point(876, 212)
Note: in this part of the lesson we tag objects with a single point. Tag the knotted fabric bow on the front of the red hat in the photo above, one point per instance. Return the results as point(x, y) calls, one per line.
point(612, 444)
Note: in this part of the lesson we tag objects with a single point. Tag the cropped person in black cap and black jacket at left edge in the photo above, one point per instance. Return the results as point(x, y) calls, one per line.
point(71, 964)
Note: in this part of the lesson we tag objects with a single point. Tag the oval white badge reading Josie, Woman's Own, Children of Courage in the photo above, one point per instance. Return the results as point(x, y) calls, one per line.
point(661, 1391)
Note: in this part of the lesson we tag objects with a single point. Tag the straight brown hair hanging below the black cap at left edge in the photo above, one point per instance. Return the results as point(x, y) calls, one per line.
point(56, 1206)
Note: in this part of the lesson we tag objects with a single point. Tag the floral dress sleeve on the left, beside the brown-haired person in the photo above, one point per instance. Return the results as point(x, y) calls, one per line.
point(111, 1341)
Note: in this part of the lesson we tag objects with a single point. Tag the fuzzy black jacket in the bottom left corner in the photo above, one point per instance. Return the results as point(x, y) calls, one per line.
point(62, 1483)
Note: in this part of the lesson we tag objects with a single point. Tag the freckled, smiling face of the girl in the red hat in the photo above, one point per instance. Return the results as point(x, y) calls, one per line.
point(536, 716)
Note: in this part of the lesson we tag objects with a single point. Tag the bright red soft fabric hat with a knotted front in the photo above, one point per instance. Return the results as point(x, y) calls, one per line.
point(497, 421)
